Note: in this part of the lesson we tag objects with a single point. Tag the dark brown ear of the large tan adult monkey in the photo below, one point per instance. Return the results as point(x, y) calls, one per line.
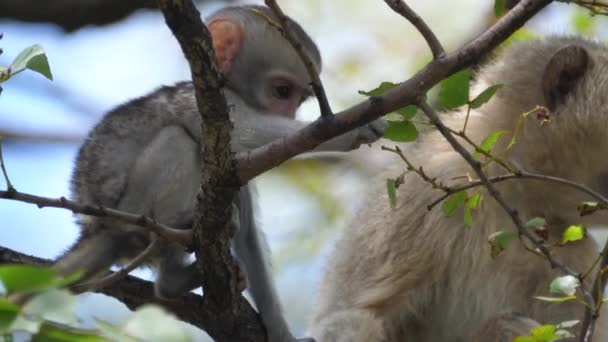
point(567, 66)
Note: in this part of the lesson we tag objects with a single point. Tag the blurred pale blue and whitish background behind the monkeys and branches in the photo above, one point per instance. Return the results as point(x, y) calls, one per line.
point(304, 204)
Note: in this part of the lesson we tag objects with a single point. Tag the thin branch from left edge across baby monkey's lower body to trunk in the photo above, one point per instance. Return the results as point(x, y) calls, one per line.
point(182, 236)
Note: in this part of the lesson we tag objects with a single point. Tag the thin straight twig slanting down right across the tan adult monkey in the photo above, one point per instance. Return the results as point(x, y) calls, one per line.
point(536, 240)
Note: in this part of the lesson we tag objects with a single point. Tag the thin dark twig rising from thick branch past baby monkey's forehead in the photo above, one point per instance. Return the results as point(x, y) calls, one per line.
point(317, 86)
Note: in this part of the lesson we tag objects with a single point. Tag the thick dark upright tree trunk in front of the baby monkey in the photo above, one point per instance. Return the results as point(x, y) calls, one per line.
point(234, 319)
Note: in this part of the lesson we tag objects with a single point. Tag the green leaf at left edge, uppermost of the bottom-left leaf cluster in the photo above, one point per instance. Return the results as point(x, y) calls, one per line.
point(27, 278)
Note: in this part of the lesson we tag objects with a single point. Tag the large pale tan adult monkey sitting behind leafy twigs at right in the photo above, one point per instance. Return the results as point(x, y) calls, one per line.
point(410, 274)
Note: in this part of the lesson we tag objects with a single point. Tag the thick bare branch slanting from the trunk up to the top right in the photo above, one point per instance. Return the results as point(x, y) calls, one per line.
point(264, 158)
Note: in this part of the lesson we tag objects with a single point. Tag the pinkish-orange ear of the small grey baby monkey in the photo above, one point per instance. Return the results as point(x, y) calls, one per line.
point(227, 38)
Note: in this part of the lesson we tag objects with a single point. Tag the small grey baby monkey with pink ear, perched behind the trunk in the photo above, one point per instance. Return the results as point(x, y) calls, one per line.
point(143, 157)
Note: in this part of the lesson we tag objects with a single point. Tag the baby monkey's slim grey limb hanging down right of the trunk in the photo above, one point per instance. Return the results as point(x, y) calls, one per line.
point(252, 252)
